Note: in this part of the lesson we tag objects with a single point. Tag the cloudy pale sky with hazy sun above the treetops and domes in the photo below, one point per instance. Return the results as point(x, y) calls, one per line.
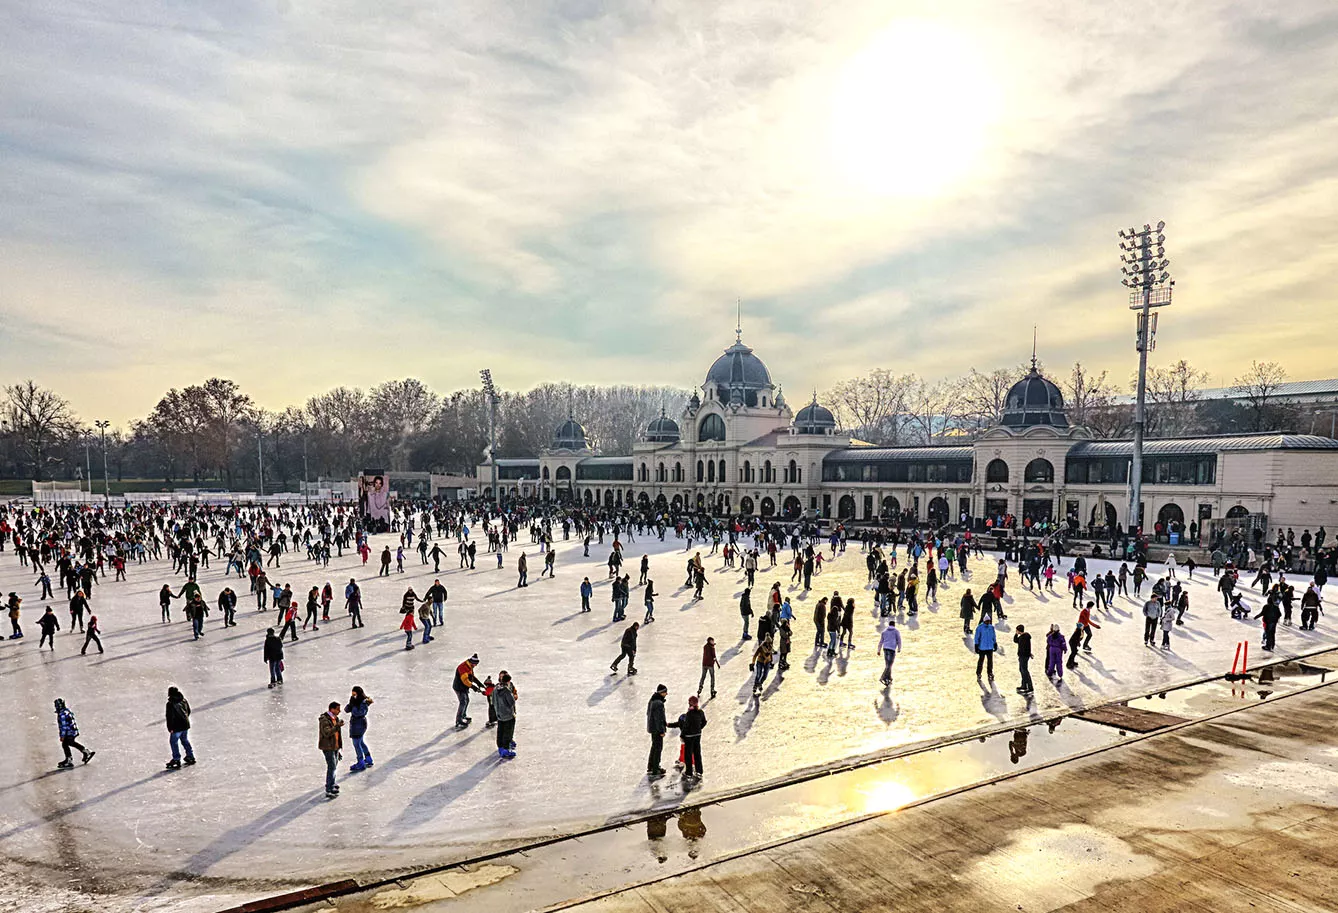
point(302, 195)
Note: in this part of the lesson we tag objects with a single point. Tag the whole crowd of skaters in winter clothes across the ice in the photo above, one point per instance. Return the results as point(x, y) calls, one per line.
point(82, 546)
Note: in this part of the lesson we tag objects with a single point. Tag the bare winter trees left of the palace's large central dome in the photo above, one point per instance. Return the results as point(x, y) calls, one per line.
point(215, 434)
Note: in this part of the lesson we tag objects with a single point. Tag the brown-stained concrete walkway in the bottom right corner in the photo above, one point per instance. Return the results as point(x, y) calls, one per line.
point(1237, 813)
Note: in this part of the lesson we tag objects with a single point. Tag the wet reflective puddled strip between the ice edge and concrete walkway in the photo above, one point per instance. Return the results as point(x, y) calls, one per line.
point(683, 840)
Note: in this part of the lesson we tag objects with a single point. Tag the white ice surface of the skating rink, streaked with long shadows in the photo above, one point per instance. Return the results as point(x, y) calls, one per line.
point(252, 815)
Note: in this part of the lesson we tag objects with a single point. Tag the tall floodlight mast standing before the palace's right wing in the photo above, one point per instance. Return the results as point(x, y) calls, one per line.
point(1145, 267)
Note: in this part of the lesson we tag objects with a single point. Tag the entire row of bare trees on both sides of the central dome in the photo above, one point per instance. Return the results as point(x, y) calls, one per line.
point(215, 434)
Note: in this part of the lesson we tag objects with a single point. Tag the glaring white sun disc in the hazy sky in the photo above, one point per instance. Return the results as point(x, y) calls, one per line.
point(913, 112)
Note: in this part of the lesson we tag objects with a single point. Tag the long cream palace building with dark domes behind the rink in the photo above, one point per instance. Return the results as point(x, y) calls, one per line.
point(739, 449)
